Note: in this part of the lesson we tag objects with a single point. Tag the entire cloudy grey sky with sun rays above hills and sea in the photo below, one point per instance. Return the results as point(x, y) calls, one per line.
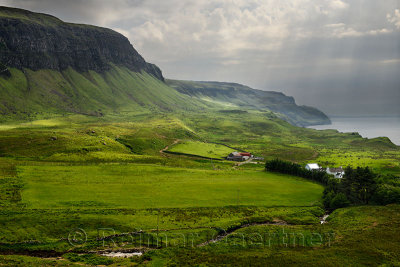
point(341, 56)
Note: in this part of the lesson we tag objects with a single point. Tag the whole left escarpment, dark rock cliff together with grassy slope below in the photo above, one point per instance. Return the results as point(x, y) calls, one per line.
point(50, 67)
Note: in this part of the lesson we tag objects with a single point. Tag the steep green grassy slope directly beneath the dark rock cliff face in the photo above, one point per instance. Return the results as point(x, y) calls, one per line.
point(40, 93)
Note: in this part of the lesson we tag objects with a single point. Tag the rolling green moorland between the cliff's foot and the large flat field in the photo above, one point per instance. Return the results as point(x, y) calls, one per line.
point(129, 137)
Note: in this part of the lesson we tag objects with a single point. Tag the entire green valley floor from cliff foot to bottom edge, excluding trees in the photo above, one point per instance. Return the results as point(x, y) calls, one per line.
point(74, 186)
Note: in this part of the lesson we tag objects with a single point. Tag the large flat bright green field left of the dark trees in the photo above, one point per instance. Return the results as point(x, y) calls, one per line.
point(150, 186)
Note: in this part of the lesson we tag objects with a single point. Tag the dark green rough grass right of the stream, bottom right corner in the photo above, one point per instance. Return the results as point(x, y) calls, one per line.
point(364, 236)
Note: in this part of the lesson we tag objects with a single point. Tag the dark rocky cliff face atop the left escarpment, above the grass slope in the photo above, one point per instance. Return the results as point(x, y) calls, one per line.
point(38, 41)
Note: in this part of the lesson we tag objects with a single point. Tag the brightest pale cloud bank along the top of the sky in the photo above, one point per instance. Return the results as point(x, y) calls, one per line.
point(229, 28)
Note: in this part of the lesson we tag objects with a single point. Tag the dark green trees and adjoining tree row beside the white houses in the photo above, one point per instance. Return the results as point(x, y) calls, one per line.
point(358, 186)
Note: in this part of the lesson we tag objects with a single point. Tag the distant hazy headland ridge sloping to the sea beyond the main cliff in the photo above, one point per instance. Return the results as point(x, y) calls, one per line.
point(245, 97)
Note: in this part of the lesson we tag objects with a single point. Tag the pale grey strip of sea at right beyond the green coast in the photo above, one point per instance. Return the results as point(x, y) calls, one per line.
point(369, 127)
